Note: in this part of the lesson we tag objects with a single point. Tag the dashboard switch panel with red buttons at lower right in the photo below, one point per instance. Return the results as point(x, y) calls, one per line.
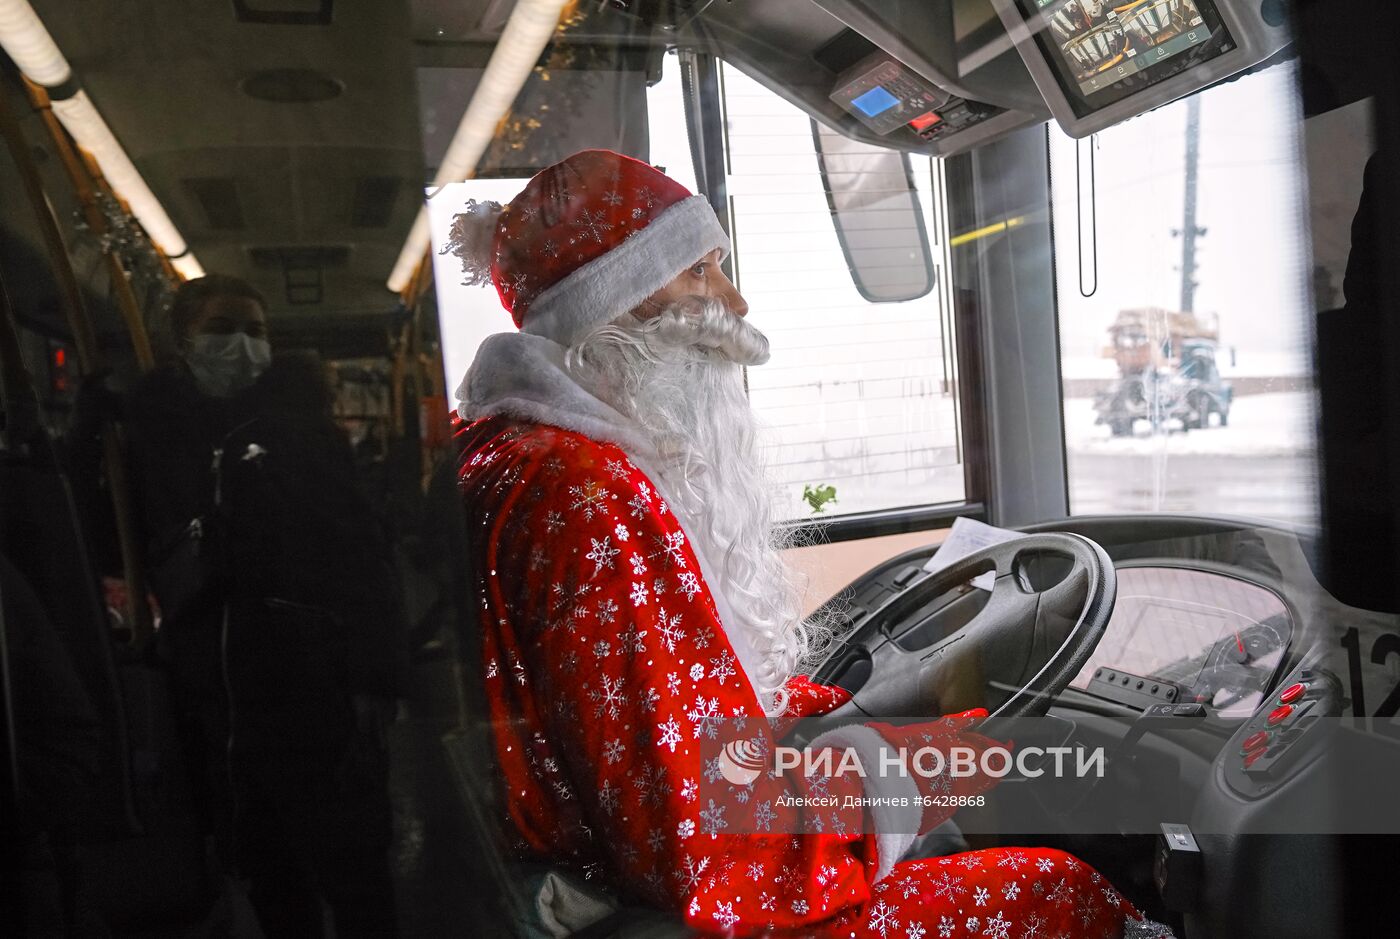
point(1280, 733)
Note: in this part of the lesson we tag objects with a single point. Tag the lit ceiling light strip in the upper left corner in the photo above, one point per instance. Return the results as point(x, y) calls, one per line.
point(31, 47)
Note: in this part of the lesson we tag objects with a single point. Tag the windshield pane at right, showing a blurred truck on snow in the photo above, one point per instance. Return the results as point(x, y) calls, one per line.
point(1182, 275)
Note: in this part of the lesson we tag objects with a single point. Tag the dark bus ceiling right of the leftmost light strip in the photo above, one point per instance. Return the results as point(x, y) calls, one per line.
point(254, 174)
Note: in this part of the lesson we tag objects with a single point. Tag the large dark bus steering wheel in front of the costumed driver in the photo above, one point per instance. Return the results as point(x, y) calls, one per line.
point(923, 656)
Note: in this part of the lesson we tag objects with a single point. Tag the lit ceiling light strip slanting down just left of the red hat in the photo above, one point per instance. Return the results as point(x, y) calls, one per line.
point(527, 33)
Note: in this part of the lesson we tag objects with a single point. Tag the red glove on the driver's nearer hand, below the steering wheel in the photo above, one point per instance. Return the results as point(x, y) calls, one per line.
point(943, 791)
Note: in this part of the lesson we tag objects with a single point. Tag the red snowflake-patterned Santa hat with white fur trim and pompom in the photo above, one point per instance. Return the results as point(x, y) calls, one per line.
point(586, 241)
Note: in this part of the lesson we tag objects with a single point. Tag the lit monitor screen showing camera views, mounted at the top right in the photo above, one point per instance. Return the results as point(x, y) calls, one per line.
point(1104, 51)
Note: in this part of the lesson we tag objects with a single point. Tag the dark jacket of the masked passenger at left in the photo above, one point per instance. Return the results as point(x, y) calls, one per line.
point(299, 559)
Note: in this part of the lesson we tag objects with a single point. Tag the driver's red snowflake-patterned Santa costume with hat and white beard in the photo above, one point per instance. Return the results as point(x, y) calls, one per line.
point(631, 598)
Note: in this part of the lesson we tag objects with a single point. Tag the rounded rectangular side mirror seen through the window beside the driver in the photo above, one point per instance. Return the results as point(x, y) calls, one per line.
point(877, 216)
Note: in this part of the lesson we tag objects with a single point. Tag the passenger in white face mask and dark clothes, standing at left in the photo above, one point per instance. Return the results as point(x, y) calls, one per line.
point(279, 612)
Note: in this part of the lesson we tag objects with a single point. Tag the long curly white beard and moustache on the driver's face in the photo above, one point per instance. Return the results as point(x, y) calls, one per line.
point(680, 377)
